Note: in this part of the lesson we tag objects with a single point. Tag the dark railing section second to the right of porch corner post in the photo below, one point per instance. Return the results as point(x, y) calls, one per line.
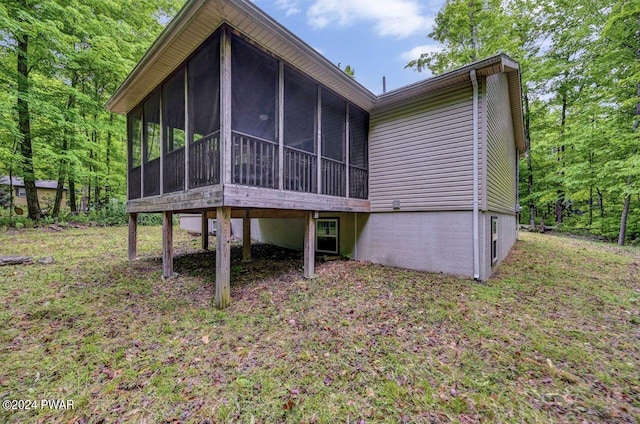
point(300, 170)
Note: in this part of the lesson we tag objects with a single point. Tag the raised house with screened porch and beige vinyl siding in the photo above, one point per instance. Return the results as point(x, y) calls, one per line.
point(232, 116)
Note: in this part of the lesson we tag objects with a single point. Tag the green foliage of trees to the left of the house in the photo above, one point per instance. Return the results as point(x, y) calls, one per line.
point(79, 52)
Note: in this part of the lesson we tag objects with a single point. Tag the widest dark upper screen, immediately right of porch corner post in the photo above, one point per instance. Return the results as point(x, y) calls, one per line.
point(253, 87)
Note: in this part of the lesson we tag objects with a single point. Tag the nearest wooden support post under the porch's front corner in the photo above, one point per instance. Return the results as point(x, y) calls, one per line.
point(223, 257)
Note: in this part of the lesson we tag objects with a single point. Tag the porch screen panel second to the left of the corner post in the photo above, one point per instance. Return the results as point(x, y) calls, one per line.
point(173, 112)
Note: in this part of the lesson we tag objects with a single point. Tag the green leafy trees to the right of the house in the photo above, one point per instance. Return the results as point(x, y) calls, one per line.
point(581, 100)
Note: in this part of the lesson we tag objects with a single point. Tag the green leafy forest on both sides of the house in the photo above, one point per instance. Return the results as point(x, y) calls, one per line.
point(60, 60)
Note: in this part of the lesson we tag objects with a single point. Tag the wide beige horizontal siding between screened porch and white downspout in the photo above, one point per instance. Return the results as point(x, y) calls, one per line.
point(421, 152)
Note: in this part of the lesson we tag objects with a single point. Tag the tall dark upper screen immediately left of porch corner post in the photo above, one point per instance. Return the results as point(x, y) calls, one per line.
point(204, 89)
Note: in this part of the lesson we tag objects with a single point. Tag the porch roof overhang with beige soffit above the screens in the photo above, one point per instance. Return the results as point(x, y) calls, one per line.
point(200, 18)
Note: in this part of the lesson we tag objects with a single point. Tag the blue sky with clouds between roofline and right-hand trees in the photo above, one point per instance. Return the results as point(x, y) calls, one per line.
point(376, 37)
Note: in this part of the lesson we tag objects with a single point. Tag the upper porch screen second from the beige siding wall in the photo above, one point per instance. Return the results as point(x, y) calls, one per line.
point(333, 122)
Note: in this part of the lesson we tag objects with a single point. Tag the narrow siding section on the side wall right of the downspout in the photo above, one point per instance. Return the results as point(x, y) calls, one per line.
point(501, 157)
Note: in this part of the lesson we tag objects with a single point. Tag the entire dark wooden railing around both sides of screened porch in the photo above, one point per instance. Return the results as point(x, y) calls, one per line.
point(254, 162)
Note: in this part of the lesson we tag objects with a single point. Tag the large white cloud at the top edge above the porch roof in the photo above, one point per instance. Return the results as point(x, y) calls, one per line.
point(396, 18)
